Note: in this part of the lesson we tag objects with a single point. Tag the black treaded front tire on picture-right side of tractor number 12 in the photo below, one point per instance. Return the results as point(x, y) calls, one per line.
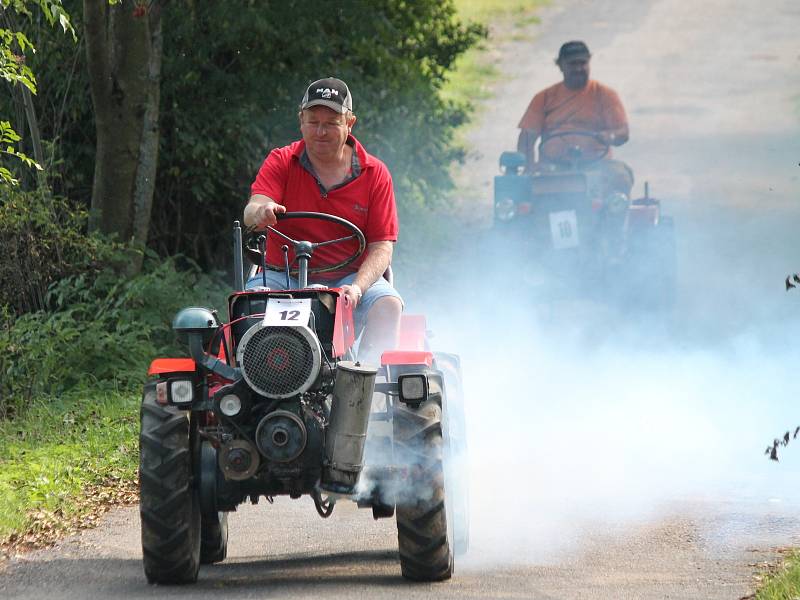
point(423, 535)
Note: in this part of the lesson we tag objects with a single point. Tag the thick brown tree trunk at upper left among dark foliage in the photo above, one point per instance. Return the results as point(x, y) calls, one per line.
point(123, 45)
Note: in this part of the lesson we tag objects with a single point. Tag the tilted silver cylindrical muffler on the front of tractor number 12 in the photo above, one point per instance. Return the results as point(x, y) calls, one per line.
point(347, 432)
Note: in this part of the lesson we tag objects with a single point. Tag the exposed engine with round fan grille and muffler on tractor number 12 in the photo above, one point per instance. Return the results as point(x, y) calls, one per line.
point(292, 420)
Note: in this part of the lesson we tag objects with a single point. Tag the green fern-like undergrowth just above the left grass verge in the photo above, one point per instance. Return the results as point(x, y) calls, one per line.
point(98, 331)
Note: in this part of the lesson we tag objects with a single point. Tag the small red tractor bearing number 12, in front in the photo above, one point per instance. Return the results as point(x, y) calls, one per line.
point(274, 403)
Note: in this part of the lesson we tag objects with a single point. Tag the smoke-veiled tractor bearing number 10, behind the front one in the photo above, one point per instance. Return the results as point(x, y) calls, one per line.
point(575, 234)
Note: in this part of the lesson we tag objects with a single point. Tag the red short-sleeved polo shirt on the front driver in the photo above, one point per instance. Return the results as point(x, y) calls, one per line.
point(367, 201)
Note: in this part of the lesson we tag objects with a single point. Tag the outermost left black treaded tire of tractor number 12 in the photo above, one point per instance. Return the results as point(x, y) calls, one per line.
point(168, 502)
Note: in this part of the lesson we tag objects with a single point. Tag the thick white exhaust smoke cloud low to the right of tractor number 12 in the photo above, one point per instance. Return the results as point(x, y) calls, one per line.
point(587, 421)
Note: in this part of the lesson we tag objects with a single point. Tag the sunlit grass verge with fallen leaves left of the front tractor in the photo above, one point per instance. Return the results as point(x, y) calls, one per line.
point(63, 462)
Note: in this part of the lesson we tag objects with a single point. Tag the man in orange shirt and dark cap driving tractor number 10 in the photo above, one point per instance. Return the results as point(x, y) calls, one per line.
point(581, 105)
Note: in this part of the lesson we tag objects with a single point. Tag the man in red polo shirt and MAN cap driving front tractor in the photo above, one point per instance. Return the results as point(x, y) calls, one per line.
point(329, 171)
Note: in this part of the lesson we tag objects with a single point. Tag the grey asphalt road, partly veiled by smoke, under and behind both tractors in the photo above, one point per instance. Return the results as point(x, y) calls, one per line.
point(611, 457)
